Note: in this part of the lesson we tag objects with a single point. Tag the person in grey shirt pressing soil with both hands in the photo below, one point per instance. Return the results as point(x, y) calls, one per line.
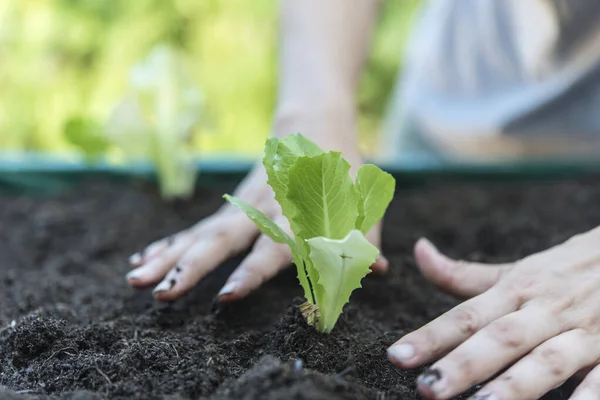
point(483, 79)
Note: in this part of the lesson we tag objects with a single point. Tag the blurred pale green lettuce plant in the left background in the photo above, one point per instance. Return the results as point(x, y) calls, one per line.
point(158, 119)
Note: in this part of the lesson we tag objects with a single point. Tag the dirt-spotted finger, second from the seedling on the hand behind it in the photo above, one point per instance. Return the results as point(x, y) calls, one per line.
point(201, 258)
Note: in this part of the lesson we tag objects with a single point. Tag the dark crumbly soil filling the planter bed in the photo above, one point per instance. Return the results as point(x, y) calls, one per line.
point(80, 332)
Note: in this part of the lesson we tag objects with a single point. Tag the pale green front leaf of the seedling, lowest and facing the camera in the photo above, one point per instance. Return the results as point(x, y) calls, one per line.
point(341, 265)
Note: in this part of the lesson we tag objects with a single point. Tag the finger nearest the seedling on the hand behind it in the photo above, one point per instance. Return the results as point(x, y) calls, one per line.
point(265, 261)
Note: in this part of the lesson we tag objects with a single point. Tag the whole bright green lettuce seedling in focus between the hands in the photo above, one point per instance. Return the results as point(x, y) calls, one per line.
point(329, 215)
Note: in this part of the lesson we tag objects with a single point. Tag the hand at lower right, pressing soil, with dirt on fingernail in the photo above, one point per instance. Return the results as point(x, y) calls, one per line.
point(535, 322)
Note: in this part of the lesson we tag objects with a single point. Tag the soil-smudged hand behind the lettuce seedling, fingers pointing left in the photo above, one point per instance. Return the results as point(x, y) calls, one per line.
point(179, 262)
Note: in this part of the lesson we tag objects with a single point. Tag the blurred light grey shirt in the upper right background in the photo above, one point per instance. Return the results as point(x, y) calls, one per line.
point(495, 74)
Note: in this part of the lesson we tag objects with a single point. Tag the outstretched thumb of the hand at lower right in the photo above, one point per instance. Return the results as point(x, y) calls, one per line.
point(456, 277)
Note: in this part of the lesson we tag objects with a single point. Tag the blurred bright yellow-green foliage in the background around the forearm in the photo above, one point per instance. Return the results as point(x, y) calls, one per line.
point(65, 65)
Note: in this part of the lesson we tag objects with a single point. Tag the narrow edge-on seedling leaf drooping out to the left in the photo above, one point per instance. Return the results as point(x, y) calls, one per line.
point(274, 231)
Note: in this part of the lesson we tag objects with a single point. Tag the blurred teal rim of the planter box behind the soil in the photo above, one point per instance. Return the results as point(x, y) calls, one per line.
point(45, 174)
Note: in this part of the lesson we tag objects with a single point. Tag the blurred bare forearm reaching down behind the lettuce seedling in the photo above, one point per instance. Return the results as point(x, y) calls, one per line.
point(324, 45)
